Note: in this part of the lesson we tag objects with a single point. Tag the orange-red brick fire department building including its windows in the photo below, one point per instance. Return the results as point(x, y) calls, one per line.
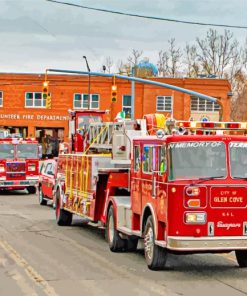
point(22, 108)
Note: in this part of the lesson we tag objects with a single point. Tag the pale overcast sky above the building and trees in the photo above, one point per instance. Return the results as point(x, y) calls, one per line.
point(37, 34)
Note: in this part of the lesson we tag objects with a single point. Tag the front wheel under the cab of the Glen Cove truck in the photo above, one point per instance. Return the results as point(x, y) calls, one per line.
point(155, 255)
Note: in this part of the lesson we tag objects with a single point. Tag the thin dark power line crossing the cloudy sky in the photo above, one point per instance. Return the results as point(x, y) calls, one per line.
point(148, 17)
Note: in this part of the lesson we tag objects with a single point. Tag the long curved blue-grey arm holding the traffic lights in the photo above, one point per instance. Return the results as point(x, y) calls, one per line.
point(146, 81)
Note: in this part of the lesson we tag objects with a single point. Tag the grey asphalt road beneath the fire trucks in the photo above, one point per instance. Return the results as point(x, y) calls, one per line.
point(37, 257)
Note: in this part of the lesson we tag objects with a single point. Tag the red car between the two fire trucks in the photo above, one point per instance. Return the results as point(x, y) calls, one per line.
point(47, 180)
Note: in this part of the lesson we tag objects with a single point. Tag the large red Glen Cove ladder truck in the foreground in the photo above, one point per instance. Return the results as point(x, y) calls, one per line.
point(178, 185)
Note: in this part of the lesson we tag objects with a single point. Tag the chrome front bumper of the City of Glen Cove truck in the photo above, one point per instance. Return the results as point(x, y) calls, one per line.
point(179, 243)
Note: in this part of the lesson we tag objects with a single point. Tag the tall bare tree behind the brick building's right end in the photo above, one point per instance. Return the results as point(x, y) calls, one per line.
point(221, 55)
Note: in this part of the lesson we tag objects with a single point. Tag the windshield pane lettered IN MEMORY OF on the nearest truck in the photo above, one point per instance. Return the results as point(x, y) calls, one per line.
point(197, 159)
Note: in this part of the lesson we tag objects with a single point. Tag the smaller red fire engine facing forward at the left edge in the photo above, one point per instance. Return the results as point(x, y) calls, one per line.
point(19, 162)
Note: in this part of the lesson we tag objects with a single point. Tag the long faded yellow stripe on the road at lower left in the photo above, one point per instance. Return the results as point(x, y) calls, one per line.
point(30, 271)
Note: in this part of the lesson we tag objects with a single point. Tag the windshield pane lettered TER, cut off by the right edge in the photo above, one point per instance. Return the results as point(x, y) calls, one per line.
point(238, 159)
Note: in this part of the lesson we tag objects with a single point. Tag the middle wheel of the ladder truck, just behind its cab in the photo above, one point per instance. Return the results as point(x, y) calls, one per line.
point(116, 243)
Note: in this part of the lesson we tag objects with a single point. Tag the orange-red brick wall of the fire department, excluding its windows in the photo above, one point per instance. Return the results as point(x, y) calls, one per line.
point(63, 87)
